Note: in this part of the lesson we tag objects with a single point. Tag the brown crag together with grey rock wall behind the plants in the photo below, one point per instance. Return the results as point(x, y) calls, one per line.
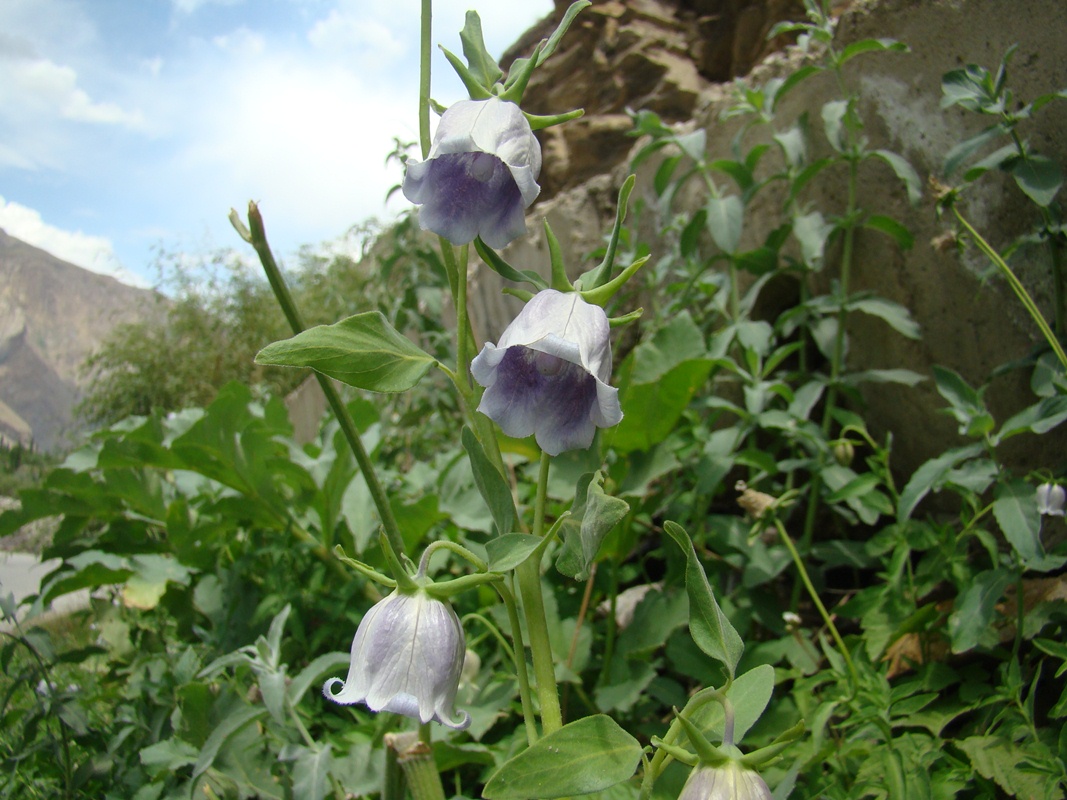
point(673, 56)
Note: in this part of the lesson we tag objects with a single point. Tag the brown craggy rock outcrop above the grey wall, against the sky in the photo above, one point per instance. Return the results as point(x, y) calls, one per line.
point(642, 55)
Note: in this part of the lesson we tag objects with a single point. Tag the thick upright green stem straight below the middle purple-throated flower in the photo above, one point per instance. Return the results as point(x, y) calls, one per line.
point(529, 575)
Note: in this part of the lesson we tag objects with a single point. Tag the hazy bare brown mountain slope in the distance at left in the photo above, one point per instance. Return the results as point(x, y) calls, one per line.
point(53, 315)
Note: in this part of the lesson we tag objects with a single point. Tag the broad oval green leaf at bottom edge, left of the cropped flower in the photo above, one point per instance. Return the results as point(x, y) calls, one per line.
point(588, 756)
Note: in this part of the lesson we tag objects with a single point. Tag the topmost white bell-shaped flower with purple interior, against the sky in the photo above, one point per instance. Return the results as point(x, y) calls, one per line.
point(481, 174)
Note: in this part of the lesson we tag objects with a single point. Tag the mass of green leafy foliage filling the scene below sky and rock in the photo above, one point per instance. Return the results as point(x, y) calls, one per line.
point(210, 537)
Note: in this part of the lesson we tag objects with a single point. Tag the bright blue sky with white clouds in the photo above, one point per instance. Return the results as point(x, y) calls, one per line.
point(130, 127)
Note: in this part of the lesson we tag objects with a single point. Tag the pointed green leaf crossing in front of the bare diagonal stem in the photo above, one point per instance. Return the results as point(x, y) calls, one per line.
point(364, 351)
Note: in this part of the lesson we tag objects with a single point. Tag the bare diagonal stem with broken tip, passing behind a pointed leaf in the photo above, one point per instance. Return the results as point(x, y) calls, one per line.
point(258, 238)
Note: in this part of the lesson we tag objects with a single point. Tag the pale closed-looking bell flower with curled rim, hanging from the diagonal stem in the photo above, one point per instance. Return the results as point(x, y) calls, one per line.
point(407, 659)
